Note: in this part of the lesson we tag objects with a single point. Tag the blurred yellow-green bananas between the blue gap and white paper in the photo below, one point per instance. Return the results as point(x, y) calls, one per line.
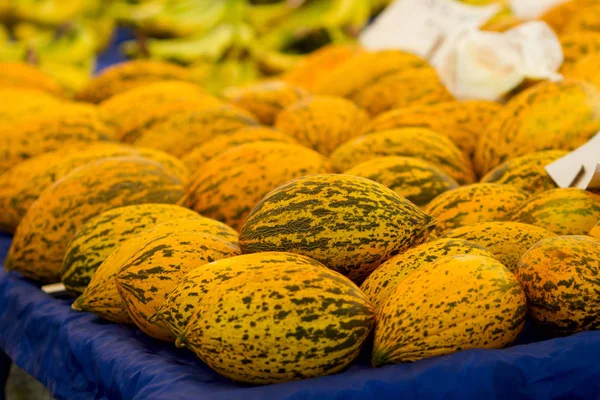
point(235, 41)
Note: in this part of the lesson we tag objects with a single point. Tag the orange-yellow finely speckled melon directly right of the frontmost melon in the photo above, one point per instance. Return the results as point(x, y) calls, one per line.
point(456, 303)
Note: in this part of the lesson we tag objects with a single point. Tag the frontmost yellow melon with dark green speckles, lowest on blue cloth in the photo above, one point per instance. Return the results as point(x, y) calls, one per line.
point(285, 322)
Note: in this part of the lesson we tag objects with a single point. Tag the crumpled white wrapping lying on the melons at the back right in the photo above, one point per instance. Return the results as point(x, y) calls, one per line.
point(487, 65)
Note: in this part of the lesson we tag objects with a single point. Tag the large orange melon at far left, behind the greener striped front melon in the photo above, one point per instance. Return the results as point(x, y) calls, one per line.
point(42, 237)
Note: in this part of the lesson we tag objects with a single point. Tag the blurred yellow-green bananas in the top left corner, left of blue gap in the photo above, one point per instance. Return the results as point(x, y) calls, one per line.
point(61, 37)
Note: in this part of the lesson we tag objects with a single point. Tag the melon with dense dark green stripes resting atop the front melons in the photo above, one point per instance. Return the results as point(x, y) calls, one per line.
point(348, 223)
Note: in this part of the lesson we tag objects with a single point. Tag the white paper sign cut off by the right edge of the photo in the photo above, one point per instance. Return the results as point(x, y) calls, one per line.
point(578, 168)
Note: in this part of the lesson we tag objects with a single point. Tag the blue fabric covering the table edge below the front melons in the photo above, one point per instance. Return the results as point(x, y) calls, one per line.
point(79, 356)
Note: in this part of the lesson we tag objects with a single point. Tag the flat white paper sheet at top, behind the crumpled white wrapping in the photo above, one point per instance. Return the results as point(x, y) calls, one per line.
point(418, 26)
